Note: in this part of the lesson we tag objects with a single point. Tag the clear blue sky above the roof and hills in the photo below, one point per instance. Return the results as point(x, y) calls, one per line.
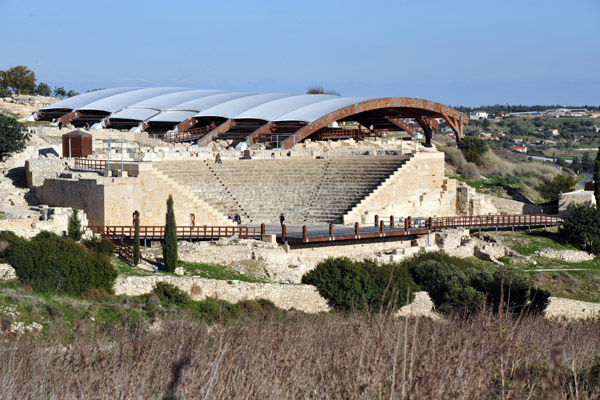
point(454, 52)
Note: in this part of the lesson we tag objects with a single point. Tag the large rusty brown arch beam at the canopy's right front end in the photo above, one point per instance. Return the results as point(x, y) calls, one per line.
point(417, 106)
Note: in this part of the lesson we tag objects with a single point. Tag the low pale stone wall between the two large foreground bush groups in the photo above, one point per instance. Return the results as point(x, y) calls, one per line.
point(300, 297)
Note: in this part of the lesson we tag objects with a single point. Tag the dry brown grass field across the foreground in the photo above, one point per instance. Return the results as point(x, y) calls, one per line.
point(332, 357)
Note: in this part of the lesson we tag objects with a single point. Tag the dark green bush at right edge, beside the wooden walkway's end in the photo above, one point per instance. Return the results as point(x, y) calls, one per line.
point(581, 228)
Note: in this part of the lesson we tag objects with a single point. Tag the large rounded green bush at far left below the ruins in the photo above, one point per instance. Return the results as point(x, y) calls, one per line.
point(49, 262)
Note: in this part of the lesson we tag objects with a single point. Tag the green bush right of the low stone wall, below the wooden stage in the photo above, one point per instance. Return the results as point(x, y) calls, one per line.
point(349, 285)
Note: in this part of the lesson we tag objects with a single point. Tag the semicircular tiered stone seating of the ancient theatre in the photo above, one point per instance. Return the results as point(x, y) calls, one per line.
point(305, 190)
